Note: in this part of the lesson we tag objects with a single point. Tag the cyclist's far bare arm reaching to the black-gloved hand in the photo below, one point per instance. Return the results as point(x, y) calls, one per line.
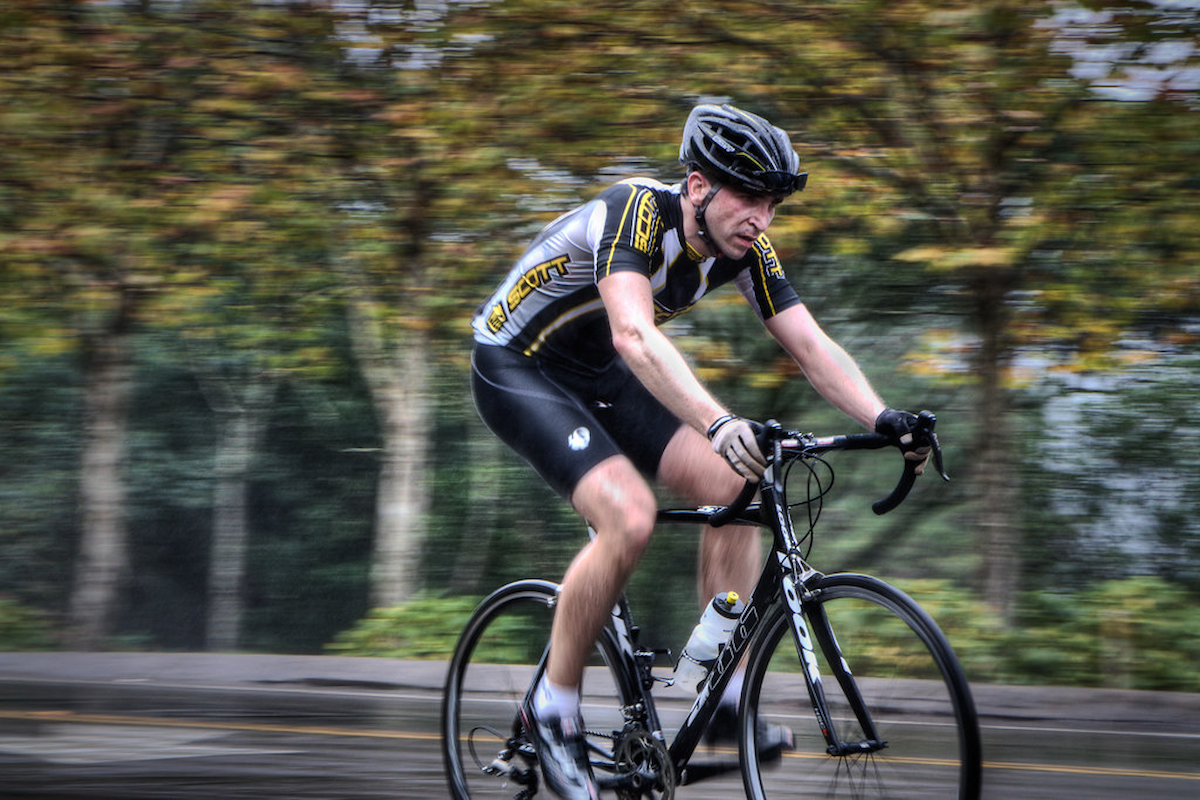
point(827, 366)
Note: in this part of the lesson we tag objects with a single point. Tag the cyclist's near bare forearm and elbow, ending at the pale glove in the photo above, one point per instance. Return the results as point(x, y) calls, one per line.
point(651, 354)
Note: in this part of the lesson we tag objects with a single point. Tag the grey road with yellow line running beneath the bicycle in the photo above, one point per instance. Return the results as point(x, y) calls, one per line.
point(193, 727)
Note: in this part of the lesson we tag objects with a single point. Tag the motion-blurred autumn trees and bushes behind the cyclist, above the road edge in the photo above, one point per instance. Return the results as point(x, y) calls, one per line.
point(241, 245)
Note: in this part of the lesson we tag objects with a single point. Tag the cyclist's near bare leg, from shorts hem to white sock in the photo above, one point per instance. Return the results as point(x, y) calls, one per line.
point(621, 507)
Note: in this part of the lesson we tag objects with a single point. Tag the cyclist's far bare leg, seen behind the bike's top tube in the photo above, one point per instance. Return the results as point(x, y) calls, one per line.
point(730, 557)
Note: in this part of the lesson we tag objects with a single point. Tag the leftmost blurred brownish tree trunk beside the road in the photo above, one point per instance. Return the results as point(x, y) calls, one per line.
point(104, 560)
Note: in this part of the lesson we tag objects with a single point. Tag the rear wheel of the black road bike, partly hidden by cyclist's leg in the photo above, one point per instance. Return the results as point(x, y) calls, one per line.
point(499, 654)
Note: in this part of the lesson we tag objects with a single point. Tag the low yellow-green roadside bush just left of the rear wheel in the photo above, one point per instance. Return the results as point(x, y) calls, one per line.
point(423, 629)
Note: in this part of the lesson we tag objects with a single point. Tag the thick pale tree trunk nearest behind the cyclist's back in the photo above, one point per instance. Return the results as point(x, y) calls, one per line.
point(403, 402)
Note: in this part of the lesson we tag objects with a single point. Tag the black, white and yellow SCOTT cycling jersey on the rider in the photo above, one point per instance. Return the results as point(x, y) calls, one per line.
point(549, 304)
